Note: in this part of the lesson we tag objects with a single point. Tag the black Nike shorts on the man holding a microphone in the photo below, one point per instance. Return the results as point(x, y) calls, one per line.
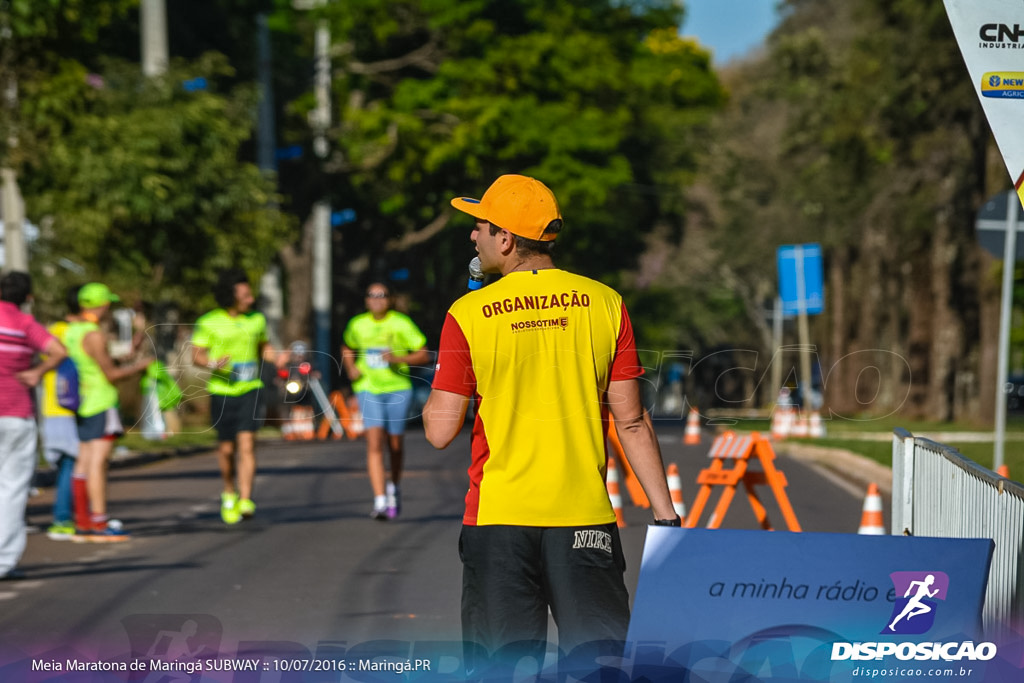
point(513, 576)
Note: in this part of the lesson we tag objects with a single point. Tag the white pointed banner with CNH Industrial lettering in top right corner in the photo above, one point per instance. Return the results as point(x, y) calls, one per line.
point(991, 34)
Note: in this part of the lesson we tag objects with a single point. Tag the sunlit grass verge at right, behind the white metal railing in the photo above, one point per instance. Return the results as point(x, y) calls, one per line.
point(873, 439)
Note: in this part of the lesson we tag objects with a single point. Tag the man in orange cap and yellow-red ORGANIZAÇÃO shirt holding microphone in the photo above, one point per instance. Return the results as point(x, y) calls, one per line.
point(545, 355)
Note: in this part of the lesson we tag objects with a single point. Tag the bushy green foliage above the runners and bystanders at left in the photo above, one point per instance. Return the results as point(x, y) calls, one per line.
point(140, 182)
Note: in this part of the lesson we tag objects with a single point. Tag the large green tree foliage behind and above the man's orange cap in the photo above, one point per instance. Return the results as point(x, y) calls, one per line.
point(603, 101)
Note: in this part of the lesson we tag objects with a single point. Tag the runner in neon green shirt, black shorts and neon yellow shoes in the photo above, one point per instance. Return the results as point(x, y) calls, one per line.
point(231, 343)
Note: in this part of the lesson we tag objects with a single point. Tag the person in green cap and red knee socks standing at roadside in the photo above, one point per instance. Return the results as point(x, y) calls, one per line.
point(99, 419)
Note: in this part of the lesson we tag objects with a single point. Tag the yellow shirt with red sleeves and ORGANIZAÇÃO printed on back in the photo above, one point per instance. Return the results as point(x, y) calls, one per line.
point(537, 351)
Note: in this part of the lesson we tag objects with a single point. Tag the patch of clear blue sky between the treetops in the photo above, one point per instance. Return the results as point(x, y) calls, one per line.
point(730, 28)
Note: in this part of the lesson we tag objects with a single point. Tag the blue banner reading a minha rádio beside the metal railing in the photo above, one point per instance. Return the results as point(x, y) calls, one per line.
point(738, 606)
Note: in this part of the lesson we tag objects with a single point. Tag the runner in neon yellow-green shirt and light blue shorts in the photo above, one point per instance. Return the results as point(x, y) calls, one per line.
point(378, 349)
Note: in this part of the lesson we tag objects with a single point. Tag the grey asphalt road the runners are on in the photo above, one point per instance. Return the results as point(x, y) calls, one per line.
point(312, 575)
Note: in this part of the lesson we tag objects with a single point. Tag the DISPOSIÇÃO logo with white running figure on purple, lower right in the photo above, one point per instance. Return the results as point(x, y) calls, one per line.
point(919, 597)
